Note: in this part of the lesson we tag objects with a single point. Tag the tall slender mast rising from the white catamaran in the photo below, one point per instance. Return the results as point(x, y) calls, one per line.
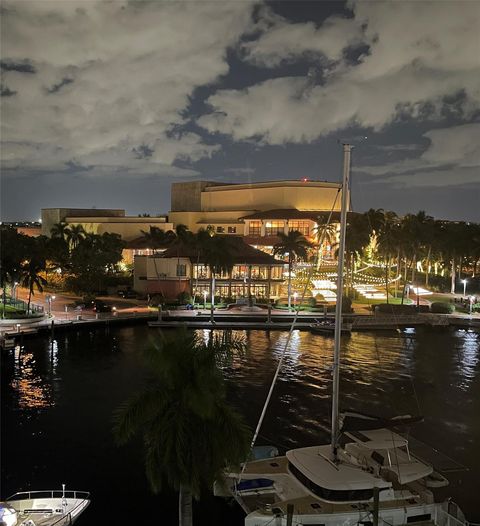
point(347, 148)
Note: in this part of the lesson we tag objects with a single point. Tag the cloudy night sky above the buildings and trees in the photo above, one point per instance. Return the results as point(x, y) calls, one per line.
point(105, 104)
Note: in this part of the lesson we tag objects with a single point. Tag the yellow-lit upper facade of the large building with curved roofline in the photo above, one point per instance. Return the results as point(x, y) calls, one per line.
point(233, 209)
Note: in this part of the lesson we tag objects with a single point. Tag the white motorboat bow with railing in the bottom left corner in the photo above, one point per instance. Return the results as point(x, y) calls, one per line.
point(43, 508)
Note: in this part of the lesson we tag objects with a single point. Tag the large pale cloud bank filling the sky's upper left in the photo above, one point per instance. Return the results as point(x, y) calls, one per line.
point(92, 83)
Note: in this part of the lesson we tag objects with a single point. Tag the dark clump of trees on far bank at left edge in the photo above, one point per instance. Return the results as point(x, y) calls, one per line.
point(85, 259)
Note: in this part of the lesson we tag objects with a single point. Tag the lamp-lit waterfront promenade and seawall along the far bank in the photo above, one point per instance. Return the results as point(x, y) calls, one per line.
point(62, 314)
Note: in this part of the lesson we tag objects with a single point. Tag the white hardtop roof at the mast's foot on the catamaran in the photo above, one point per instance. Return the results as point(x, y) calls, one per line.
point(315, 464)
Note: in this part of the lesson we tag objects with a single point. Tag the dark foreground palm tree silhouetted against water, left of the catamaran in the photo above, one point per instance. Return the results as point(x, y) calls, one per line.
point(189, 431)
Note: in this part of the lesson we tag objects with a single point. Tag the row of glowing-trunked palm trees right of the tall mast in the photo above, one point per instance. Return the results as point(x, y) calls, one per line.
point(411, 242)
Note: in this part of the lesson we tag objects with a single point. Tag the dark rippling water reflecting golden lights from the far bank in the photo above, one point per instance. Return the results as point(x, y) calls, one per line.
point(58, 399)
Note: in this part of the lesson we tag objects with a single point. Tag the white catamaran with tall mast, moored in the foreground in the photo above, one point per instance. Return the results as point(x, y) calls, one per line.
point(366, 476)
